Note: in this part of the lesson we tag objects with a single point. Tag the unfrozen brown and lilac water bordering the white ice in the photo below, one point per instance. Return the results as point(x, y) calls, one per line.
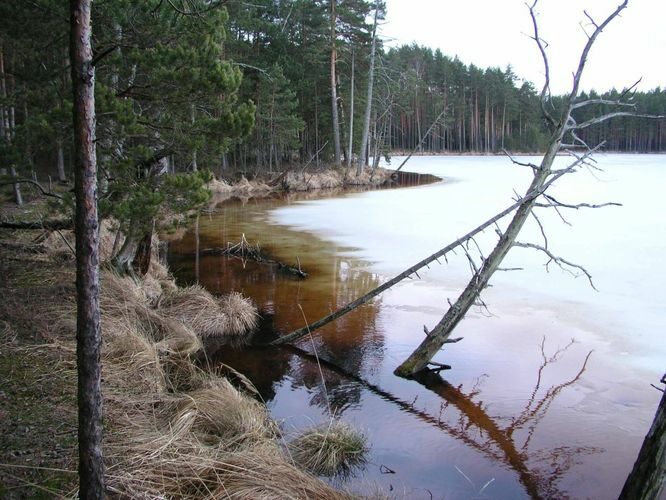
point(524, 412)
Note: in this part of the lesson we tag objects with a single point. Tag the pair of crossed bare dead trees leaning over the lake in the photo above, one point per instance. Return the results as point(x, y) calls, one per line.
point(564, 131)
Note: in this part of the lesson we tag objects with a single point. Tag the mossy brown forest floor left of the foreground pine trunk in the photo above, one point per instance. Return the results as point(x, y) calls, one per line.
point(37, 375)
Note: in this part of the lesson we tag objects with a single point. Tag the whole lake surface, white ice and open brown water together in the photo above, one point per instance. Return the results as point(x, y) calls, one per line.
point(549, 394)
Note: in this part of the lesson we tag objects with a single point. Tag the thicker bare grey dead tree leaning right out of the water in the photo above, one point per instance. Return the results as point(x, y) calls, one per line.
point(563, 128)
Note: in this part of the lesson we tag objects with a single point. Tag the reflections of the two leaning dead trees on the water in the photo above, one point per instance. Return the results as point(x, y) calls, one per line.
point(469, 421)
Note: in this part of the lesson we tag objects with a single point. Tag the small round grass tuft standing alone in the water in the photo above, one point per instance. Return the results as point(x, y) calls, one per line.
point(329, 450)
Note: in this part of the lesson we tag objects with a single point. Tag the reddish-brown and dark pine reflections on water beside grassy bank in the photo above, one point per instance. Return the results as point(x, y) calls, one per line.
point(353, 342)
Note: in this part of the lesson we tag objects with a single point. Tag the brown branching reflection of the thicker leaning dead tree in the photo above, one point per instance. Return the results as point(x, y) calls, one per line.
point(539, 470)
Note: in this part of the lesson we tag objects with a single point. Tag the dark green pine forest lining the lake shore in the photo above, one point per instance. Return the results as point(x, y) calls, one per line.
point(235, 86)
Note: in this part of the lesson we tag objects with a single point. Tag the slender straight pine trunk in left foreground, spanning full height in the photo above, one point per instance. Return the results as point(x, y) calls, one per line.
point(88, 331)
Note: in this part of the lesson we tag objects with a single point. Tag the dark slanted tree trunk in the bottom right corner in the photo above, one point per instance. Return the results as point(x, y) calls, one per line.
point(648, 477)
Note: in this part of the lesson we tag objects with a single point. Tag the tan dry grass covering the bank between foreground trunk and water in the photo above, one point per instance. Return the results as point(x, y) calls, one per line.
point(175, 430)
